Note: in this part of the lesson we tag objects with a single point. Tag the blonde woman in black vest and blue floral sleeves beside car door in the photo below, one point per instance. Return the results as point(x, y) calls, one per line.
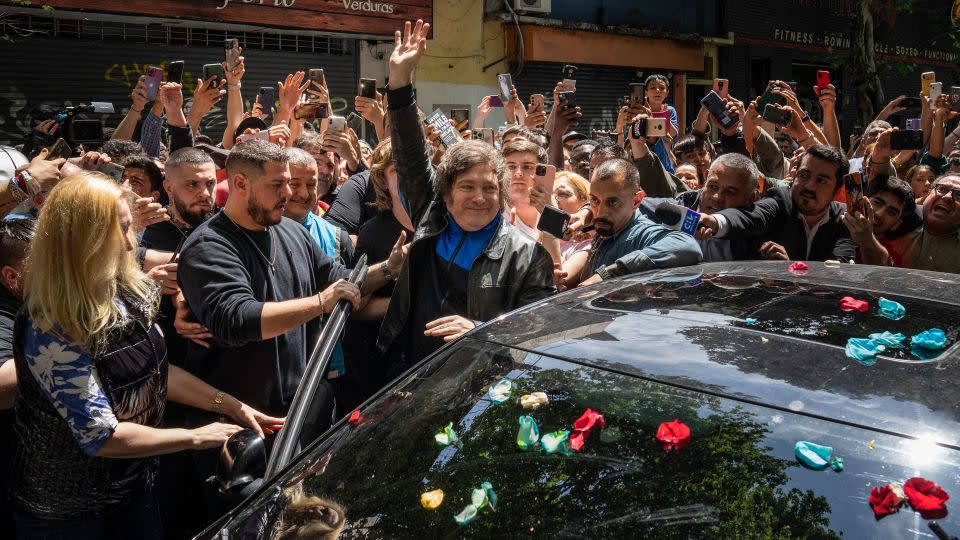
point(94, 378)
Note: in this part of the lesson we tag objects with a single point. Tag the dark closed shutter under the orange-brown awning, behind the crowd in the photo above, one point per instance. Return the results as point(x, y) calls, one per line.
point(600, 90)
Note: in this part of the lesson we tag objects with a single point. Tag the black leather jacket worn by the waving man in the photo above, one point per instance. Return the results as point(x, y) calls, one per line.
point(513, 271)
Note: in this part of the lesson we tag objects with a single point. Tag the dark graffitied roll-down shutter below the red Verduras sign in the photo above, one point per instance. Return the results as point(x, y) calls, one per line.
point(56, 71)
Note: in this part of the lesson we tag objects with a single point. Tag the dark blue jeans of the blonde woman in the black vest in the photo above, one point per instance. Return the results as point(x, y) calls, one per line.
point(139, 518)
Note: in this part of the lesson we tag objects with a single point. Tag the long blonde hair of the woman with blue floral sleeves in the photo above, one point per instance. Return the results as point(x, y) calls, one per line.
point(78, 263)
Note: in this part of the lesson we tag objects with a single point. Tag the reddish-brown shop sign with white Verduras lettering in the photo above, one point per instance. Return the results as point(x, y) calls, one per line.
point(366, 17)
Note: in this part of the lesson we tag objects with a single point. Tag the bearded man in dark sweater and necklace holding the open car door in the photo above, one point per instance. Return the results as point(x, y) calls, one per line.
point(260, 284)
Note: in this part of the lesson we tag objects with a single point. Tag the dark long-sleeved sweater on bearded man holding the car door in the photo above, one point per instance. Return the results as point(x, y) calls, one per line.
point(226, 280)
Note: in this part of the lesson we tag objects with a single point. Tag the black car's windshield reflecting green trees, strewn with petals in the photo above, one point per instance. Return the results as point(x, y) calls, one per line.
point(736, 477)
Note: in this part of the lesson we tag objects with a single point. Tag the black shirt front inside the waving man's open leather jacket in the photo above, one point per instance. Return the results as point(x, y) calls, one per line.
point(439, 287)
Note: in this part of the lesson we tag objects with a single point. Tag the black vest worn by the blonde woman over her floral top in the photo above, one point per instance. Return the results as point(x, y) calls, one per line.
point(53, 477)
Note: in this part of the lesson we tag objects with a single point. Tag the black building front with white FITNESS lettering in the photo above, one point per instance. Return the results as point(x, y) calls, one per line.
point(791, 39)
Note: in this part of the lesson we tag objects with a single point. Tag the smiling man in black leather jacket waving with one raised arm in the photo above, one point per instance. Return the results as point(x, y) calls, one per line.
point(467, 263)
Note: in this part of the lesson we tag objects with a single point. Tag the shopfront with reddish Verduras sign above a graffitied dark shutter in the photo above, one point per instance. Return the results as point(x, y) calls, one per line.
point(95, 50)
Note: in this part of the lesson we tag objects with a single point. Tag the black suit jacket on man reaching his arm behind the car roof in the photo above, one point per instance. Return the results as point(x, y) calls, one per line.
point(776, 218)
